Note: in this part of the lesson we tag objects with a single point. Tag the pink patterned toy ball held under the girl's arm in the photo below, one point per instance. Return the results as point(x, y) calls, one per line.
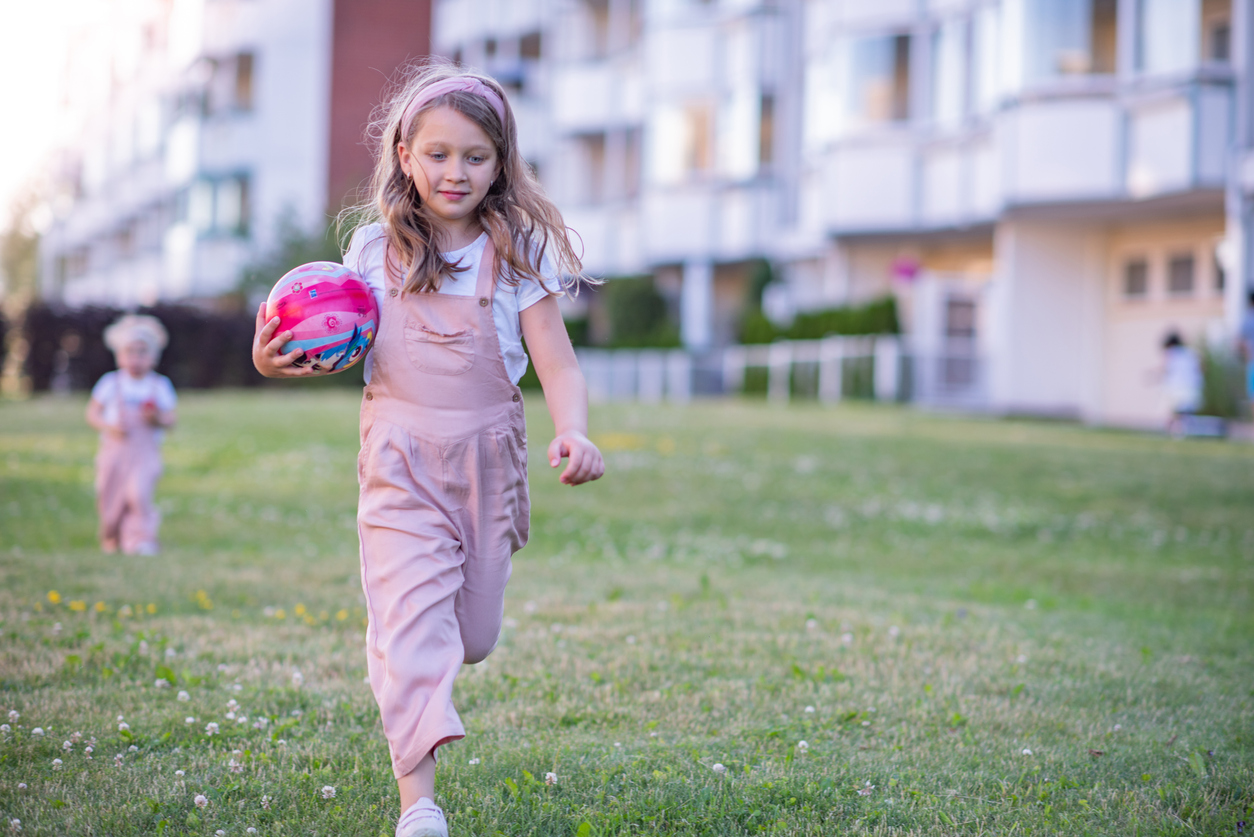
point(332, 313)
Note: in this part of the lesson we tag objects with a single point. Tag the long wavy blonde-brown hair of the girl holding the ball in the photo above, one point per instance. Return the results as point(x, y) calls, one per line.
point(524, 224)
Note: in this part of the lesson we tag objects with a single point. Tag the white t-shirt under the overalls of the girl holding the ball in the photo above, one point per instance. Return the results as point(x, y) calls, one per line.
point(367, 257)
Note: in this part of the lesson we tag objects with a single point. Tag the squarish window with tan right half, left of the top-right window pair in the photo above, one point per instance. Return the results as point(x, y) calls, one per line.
point(880, 81)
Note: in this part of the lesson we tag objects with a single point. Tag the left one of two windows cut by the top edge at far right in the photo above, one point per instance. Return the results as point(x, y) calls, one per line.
point(1069, 38)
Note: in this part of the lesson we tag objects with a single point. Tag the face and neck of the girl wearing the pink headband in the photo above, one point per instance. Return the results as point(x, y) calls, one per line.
point(452, 163)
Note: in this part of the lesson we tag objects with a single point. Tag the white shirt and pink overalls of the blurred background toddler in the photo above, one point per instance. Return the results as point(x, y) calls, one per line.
point(127, 469)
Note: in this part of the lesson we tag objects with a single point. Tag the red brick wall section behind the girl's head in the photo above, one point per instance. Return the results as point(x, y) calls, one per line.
point(372, 40)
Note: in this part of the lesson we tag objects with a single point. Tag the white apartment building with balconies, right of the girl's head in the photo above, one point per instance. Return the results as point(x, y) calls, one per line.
point(1046, 186)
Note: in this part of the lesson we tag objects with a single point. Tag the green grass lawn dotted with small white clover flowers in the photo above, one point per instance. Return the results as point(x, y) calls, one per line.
point(779, 622)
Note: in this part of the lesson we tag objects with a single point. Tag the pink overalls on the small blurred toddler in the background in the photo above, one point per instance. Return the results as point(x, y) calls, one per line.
point(127, 471)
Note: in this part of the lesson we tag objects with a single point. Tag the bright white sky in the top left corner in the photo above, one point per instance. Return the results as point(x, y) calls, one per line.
point(32, 61)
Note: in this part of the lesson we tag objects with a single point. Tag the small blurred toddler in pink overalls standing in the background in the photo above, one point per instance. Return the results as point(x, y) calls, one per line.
point(131, 408)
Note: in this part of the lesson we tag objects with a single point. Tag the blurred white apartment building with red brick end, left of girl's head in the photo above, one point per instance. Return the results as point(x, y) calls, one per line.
point(204, 126)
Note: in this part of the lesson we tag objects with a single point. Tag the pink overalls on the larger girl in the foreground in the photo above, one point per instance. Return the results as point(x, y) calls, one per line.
point(443, 508)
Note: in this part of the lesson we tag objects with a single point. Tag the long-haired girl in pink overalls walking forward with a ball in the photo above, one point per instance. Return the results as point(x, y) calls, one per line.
point(465, 260)
